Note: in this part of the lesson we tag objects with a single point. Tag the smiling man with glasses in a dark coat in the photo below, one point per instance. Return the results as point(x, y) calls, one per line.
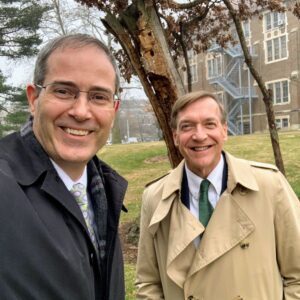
point(60, 205)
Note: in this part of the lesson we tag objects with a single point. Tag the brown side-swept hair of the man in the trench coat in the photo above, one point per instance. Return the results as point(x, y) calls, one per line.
point(189, 98)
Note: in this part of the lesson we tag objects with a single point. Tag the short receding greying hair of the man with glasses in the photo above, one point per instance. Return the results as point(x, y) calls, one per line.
point(72, 41)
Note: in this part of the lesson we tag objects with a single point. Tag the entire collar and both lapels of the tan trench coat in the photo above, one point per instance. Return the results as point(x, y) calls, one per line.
point(221, 234)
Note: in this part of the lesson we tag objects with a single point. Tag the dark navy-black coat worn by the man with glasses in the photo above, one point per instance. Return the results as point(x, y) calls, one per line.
point(45, 250)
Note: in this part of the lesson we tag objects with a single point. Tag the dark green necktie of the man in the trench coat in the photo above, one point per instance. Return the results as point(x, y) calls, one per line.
point(205, 208)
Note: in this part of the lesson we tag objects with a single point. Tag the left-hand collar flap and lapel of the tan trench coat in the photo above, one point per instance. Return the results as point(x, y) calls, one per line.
point(184, 227)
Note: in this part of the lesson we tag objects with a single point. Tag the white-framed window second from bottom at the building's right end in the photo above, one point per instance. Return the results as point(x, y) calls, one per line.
point(279, 91)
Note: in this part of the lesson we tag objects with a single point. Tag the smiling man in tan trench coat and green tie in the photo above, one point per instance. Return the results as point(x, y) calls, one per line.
point(217, 227)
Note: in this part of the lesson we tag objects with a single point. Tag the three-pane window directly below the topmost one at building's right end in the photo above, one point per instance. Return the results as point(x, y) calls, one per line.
point(276, 48)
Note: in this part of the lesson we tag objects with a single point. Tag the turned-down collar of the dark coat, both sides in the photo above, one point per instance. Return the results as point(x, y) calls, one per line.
point(28, 163)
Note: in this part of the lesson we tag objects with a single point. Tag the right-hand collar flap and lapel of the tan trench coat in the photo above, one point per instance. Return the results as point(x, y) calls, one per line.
point(229, 224)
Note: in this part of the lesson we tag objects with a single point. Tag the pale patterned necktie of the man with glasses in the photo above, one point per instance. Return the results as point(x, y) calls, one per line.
point(79, 192)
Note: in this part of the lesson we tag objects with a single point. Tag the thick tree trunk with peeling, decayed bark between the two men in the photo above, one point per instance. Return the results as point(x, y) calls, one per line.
point(141, 35)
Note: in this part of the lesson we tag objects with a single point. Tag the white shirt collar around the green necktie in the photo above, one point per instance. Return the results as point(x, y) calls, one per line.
point(215, 178)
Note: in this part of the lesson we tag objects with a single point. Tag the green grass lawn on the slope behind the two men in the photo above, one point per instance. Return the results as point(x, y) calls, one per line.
point(140, 163)
